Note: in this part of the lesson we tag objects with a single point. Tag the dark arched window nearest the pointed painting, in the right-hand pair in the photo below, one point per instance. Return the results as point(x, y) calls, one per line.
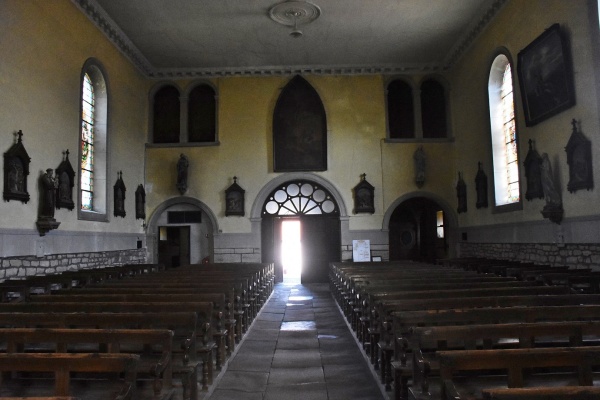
point(400, 108)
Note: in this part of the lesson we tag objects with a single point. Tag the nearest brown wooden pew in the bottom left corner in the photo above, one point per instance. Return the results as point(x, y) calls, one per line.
point(62, 365)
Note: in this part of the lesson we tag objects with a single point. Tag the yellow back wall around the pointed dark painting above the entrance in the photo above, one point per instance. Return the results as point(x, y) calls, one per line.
point(356, 121)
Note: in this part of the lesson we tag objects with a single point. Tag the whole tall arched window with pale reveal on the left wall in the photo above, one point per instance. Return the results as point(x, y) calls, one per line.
point(93, 138)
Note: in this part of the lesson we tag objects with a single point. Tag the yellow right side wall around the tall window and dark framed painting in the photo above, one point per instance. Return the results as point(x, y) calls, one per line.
point(517, 25)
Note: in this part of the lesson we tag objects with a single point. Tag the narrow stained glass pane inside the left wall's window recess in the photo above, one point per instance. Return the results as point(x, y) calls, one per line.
point(87, 144)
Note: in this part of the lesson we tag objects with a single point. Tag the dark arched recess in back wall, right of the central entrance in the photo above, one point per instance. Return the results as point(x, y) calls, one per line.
point(408, 222)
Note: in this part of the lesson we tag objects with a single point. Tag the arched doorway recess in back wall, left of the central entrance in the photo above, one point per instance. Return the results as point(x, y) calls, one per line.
point(201, 234)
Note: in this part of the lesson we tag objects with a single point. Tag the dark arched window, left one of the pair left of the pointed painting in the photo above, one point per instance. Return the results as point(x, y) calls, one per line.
point(166, 115)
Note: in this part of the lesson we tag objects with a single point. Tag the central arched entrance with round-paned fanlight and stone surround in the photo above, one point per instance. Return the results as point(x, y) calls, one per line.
point(321, 233)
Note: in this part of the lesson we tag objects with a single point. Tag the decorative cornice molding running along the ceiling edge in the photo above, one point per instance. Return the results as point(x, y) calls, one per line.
point(115, 34)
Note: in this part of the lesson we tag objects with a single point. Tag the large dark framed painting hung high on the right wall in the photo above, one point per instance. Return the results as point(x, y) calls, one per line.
point(545, 76)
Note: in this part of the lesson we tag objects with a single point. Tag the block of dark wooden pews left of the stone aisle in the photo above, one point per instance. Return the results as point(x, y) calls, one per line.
point(126, 332)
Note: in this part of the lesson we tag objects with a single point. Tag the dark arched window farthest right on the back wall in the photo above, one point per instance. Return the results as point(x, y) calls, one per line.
point(433, 110)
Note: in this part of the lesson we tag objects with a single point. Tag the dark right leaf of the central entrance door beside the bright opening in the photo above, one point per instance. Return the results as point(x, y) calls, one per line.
point(320, 246)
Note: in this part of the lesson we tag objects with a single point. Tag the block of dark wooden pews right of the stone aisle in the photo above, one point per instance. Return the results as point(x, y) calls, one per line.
point(475, 328)
